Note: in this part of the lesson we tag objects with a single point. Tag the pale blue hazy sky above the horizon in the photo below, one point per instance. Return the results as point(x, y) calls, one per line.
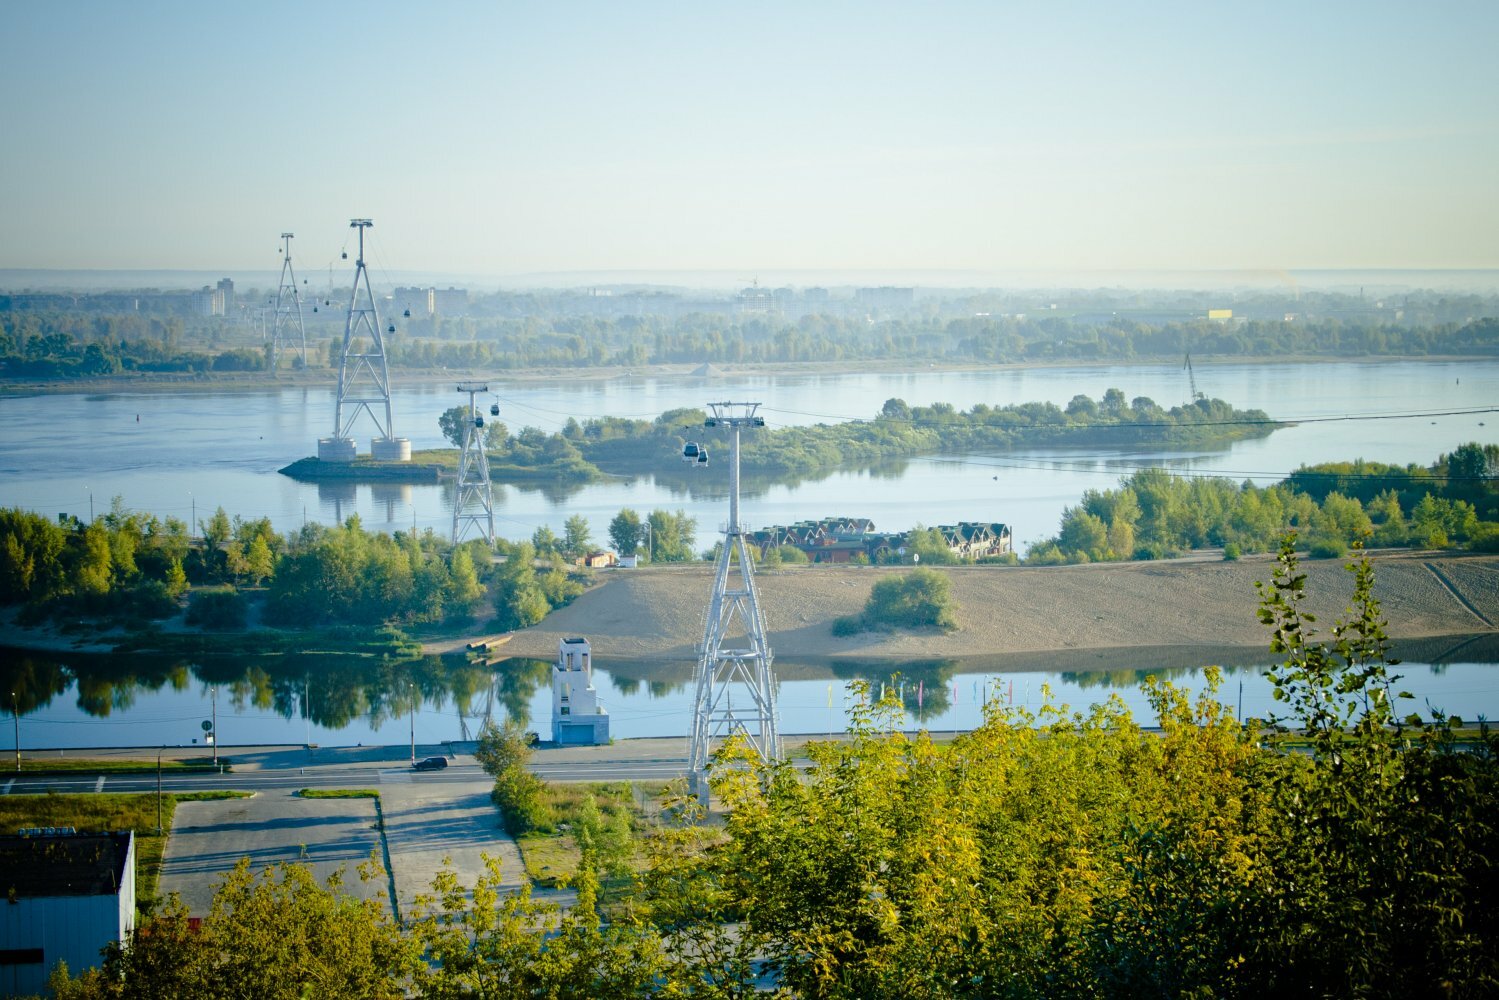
point(509, 139)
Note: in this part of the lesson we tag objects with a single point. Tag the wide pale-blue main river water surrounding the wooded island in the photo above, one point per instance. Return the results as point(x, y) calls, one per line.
point(184, 454)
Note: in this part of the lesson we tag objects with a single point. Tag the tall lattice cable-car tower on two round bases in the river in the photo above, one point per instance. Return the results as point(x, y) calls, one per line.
point(364, 377)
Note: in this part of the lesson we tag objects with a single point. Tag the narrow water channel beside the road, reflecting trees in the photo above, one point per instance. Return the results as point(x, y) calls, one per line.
point(70, 699)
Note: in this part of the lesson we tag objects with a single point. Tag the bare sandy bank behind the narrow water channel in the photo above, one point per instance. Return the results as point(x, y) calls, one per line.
point(657, 614)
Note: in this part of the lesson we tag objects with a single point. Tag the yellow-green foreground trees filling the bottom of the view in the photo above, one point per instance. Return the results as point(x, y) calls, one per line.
point(1049, 854)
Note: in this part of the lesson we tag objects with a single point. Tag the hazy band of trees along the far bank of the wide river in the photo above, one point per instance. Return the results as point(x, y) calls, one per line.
point(80, 346)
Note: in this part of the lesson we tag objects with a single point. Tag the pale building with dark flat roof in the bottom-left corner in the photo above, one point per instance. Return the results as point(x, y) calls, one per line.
point(68, 897)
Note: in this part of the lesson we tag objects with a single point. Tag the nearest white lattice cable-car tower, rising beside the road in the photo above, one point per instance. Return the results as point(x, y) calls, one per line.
point(735, 659)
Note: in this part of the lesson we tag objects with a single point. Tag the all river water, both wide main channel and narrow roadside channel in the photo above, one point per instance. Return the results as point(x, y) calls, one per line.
point(185, 454)
